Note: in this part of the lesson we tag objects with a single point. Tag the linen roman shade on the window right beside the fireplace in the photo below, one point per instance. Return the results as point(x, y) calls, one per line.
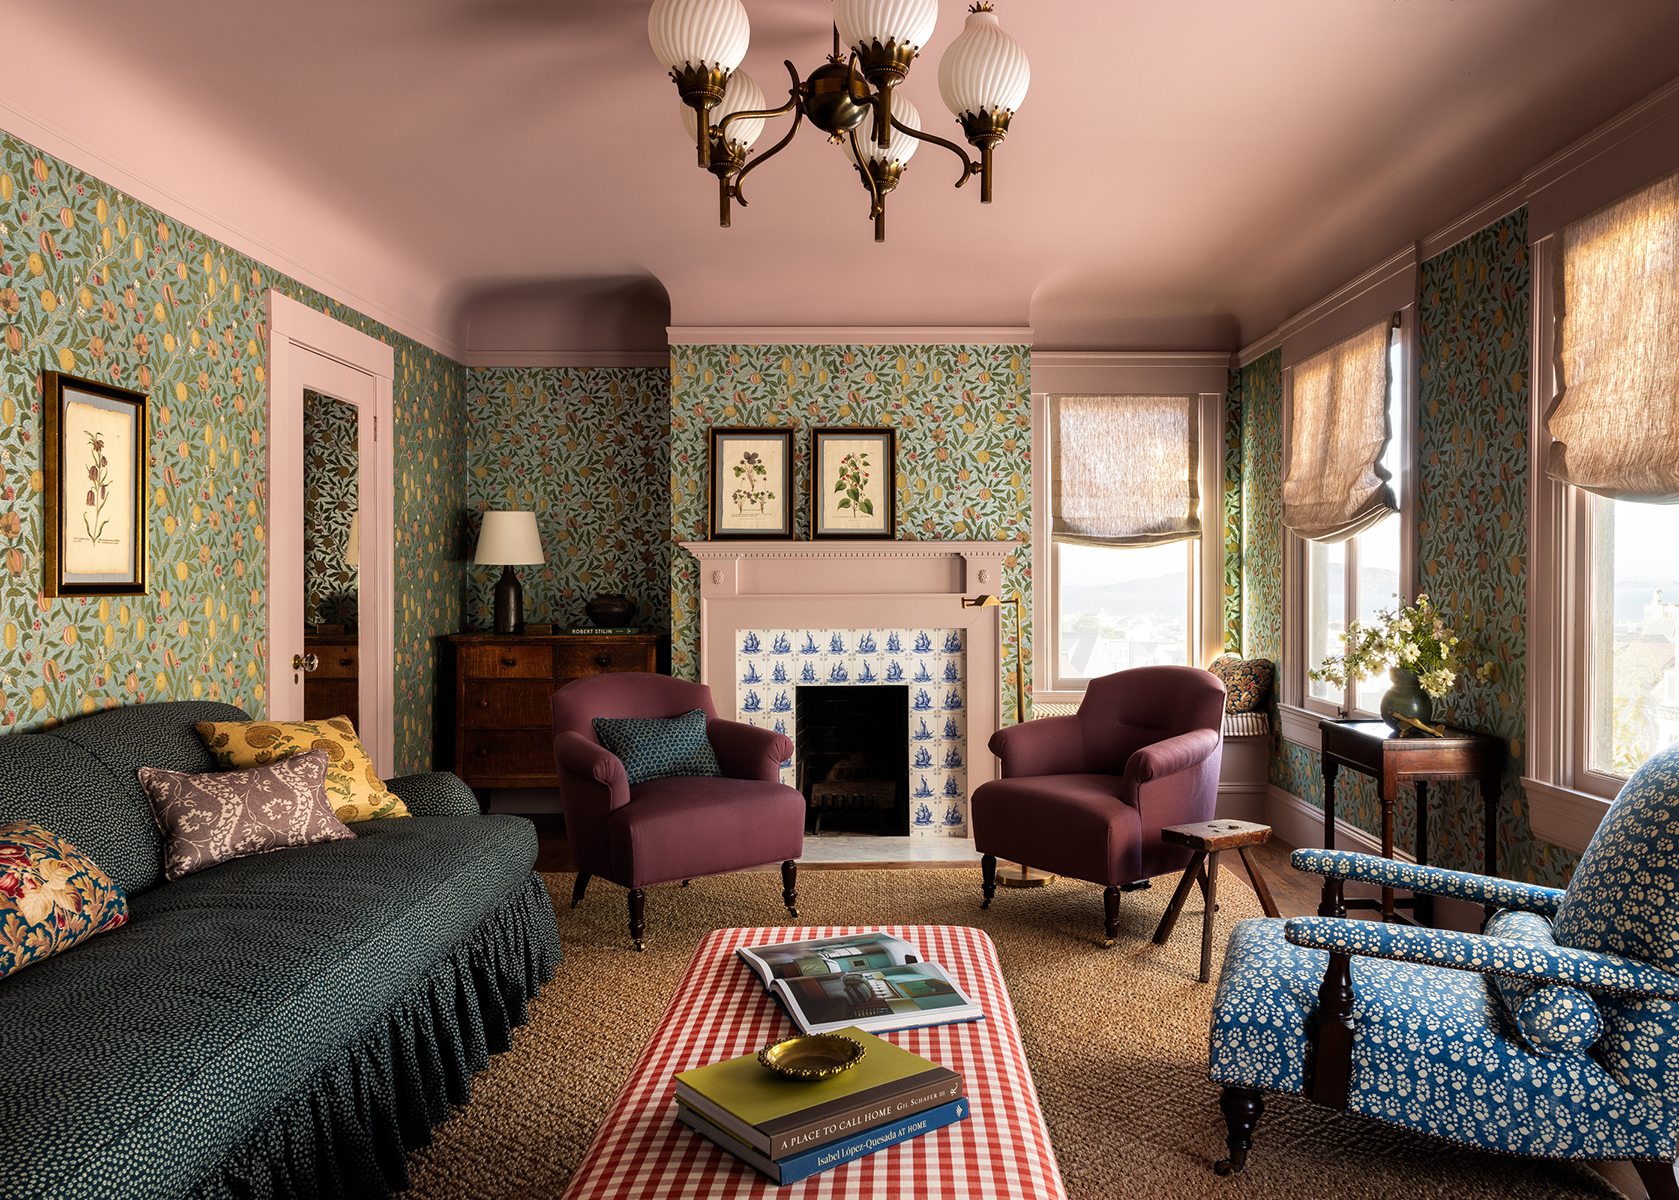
point(1122, 471)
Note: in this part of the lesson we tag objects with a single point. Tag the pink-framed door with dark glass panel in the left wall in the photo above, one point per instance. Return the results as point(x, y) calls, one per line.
point(338, 377)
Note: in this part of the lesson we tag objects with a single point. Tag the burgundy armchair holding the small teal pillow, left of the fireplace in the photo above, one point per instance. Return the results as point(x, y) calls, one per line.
point(677, 828)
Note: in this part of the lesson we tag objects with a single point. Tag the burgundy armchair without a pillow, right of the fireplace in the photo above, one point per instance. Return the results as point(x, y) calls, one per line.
point(1087, 796)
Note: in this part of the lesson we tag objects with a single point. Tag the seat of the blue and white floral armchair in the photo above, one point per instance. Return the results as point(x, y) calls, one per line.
point(1435, 1051)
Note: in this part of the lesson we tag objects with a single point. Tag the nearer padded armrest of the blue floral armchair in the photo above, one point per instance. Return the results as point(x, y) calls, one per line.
point(1487, 956)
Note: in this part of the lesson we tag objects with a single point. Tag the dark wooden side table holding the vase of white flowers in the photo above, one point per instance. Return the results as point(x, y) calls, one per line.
point(1394, 759)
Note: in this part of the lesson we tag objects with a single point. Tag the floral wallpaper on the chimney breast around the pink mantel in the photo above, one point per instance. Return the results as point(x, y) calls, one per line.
point(963, 417)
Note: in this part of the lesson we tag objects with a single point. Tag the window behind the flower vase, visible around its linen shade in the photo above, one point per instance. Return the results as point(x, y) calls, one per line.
point(1361, 577)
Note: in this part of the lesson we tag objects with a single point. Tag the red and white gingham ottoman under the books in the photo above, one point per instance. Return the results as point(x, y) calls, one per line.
point(721, 1011)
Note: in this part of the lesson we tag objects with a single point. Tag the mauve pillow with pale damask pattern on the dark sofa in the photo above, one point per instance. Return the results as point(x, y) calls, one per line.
point(224, 815)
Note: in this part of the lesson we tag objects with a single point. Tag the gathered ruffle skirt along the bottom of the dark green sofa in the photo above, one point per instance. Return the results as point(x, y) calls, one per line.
point(348, 1129)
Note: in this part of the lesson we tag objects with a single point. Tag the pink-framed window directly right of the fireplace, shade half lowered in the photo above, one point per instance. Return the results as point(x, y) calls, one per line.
point(1104, 608)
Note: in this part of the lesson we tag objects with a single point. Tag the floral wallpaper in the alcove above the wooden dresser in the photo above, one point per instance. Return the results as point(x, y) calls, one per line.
point(587, 449)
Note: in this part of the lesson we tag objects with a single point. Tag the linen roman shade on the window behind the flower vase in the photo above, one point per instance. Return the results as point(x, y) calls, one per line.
point(1336, 486)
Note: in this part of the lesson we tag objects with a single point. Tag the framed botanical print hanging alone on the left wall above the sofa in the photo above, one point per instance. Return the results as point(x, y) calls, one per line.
point(95, 466)
